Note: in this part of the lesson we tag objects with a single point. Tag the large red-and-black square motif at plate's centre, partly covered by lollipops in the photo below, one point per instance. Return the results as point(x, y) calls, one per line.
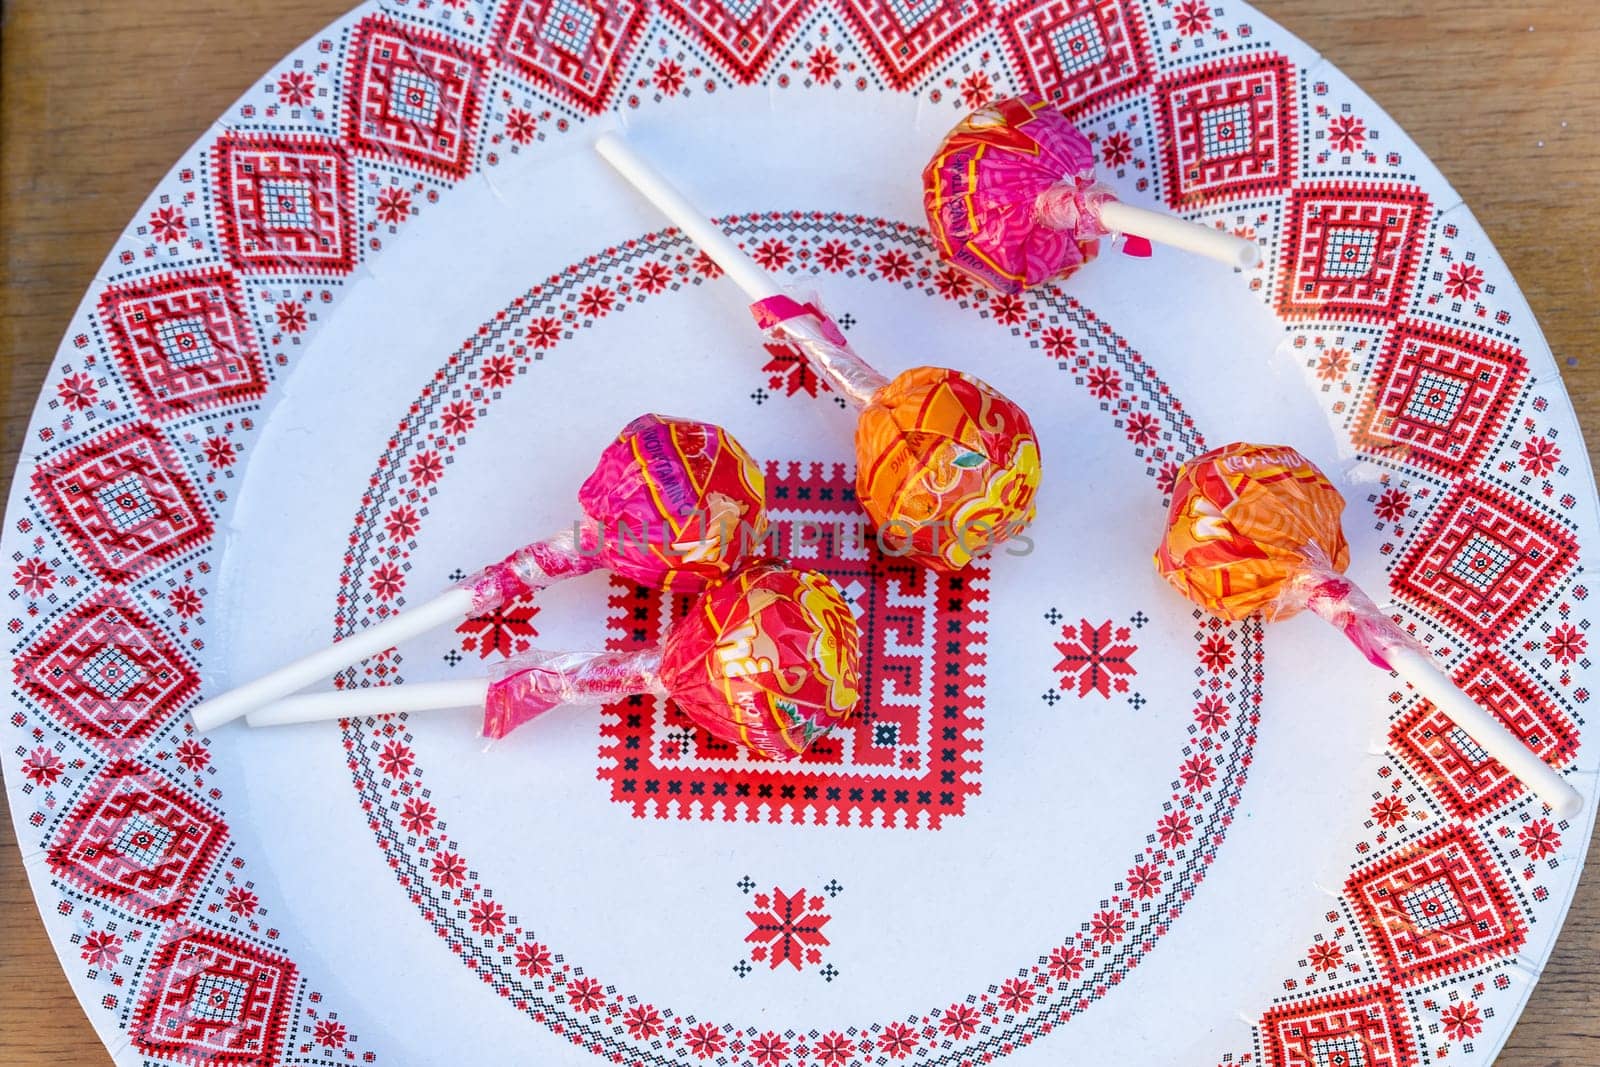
point(908, 759)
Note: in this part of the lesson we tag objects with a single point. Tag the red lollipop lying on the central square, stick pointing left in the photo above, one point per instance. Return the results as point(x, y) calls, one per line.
point(769, 661)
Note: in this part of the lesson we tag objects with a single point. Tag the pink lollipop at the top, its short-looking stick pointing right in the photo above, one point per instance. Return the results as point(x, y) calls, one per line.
point(1012, 201)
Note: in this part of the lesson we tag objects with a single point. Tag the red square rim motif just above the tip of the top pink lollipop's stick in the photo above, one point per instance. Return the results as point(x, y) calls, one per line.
point(1228, 130)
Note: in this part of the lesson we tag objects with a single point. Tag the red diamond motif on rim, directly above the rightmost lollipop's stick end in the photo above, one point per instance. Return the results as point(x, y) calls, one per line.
point(1486, 562)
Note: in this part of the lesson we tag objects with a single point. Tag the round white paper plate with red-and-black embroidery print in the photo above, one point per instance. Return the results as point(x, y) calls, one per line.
point(374, 330)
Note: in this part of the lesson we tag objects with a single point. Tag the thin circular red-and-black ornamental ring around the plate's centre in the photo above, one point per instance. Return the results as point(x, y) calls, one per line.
point(1066, 978)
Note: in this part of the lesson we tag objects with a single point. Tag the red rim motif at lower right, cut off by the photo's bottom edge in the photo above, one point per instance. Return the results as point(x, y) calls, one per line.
point(1366, 1028)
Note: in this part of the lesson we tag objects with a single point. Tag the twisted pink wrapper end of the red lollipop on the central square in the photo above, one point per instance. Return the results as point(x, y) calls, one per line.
point(532, 685)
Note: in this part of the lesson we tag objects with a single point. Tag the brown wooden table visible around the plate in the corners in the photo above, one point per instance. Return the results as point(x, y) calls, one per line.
point(100, 98)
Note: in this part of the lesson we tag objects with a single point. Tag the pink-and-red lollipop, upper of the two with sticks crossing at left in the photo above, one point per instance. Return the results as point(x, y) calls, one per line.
point(673, 503)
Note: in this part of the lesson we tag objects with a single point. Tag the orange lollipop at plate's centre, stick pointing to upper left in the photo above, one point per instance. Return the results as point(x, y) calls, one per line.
point(946, 468)
